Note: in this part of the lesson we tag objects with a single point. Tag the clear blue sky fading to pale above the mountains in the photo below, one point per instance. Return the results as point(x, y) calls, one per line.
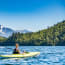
point(32, 15)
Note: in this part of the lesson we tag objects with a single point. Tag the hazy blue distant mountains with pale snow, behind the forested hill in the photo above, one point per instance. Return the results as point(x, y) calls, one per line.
point(6, 32)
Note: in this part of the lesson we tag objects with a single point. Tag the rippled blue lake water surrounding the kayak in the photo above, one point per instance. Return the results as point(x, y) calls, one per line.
point(49, 55)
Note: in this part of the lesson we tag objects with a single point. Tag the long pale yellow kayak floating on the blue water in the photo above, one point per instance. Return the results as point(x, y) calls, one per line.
point(30, 54)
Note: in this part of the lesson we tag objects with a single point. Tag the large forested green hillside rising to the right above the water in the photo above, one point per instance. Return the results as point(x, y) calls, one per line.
point(52, 36)
